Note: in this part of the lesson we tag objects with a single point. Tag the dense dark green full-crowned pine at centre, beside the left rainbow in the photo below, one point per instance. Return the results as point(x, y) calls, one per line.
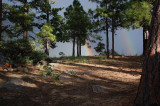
point(77, 25)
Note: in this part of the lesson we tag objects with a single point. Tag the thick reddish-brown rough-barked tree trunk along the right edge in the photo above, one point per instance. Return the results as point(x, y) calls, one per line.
point(149, 88)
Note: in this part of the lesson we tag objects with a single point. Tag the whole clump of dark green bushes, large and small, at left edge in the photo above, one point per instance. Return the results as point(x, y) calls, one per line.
point(21, 51)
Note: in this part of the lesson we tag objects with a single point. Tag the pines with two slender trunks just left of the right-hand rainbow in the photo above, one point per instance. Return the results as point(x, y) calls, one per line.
point(110, 12)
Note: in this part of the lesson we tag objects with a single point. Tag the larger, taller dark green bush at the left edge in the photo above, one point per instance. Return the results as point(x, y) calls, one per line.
point(17, 50)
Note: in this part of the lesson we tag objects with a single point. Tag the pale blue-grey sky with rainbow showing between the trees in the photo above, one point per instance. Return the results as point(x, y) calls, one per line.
point(127, 42)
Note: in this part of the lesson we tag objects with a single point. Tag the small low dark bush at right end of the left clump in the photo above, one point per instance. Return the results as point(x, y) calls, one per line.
point(36, 56)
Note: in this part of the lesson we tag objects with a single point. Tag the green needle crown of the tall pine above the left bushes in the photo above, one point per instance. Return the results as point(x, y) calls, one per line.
point(21, 17)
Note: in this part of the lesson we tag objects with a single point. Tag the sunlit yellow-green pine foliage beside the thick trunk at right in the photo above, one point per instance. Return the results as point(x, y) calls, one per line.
point(137, 14)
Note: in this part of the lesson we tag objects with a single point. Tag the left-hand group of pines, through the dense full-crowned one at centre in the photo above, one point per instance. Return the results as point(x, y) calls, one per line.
point(21, 18)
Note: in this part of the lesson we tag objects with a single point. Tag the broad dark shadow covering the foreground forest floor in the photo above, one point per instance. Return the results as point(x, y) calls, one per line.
point(77, 93)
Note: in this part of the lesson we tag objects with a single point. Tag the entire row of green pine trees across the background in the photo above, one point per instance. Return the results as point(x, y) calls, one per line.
point(77, 25)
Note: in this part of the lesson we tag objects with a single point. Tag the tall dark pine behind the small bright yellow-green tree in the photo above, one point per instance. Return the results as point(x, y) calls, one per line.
point(47, 14)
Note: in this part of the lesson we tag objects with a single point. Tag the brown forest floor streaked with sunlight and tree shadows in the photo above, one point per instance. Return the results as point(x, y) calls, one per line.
point(107, 82)
